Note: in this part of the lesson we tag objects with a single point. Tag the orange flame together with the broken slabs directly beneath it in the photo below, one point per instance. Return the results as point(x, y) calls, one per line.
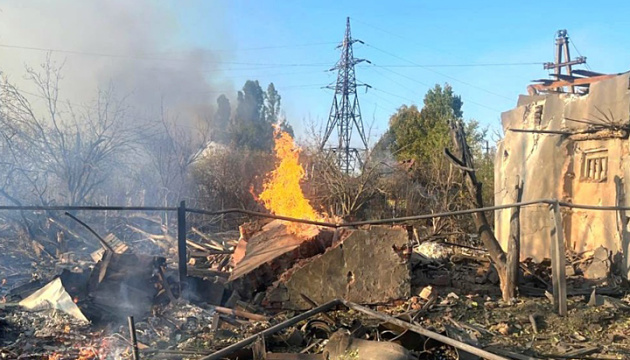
point(284, 261)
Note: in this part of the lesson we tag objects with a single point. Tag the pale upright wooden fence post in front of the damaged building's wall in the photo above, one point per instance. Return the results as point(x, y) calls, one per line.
point(558, 262)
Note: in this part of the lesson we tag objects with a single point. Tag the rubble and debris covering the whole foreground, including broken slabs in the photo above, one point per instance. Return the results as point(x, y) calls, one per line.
point(268, 292)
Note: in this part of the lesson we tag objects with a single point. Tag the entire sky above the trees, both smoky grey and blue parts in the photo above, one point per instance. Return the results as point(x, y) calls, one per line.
point(412, 45)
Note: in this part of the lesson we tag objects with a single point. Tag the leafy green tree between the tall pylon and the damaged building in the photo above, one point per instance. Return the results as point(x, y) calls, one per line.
point(417, 138)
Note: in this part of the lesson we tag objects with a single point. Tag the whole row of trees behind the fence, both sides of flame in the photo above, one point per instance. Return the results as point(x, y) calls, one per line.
point(56, 152)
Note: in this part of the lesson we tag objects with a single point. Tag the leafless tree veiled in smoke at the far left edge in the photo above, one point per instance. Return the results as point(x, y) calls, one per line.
point(61, 153)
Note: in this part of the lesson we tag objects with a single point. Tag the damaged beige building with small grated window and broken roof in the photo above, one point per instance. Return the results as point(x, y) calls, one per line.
point(574, 147)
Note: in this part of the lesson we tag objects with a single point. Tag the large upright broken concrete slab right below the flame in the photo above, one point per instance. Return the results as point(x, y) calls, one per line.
point(367, 266)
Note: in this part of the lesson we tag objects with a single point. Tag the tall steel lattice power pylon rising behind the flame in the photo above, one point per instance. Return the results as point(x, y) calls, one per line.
point(345, 113)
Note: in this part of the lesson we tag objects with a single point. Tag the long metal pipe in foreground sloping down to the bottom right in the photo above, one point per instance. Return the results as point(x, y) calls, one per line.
point(422, 331)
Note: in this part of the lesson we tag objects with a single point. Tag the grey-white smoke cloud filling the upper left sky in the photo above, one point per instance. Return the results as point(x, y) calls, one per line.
point(130, 46)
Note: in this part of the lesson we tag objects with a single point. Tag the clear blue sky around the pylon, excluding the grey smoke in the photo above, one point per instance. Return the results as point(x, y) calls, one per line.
point(403, 33)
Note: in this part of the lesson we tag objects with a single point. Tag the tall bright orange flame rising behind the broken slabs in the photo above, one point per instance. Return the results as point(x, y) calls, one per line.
point(282, 194)
